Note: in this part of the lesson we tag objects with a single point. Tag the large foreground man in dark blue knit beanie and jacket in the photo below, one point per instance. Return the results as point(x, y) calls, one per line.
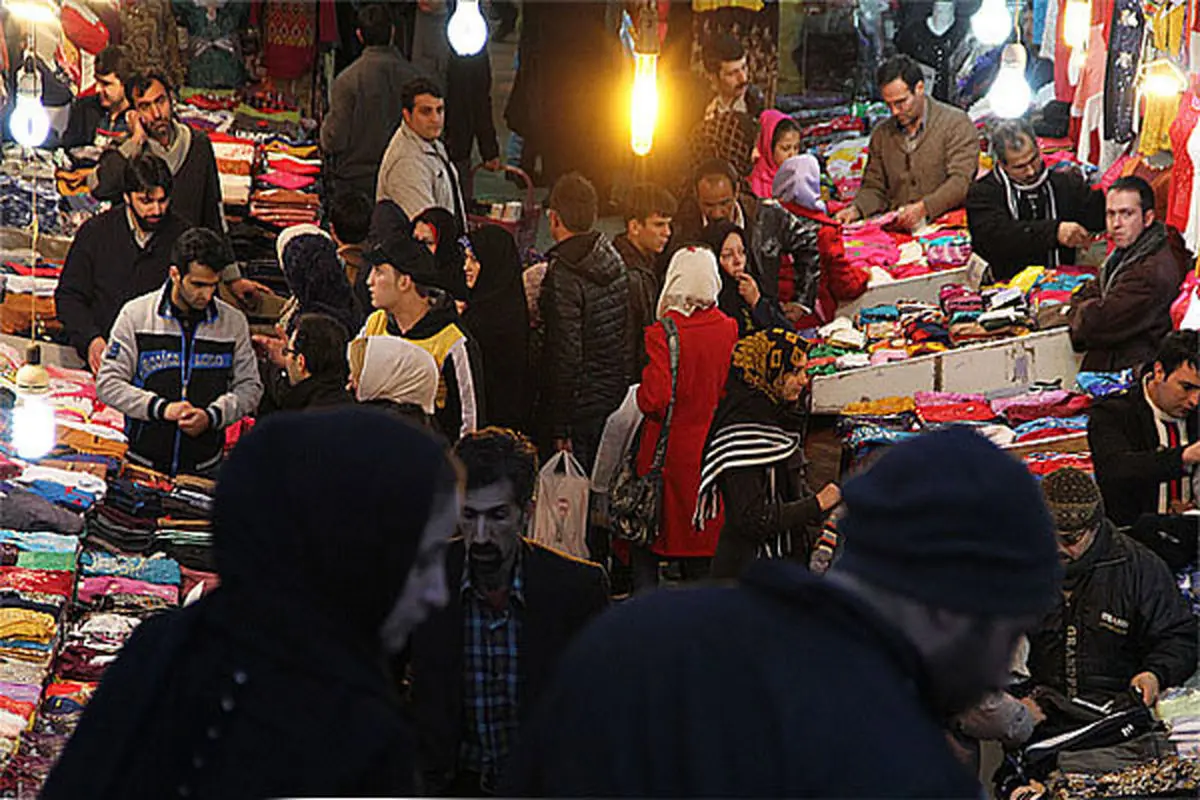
point(703, 693)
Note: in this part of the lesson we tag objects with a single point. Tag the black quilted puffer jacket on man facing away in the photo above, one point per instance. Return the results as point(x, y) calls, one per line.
point(587, 356)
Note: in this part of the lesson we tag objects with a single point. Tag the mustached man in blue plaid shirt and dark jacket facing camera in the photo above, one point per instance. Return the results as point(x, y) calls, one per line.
point(481, 664)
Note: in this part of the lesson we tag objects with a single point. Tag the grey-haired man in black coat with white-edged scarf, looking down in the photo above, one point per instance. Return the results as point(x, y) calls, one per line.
point(1022, 214)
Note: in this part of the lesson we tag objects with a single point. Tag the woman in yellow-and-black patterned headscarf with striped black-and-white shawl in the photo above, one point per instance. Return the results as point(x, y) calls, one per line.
point(754, 462)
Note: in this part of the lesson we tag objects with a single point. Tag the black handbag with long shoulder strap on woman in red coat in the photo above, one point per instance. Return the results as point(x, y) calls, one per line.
point(635, 503)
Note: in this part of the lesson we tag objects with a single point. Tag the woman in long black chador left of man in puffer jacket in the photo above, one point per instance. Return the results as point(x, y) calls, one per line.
point(499, 318)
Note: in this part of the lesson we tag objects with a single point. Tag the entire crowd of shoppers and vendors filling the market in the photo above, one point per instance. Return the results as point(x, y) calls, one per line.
point(485, 663)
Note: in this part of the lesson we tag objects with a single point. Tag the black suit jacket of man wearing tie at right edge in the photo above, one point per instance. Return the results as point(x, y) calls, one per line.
point(1123, 436)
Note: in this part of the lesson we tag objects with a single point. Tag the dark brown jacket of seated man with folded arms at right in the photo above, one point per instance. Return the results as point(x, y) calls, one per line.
point(1120, 320)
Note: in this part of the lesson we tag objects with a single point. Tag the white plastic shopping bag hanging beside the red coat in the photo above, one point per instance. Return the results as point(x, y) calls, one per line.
point(561, 514)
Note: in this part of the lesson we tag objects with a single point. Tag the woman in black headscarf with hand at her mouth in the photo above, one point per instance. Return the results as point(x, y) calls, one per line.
point(743, 293)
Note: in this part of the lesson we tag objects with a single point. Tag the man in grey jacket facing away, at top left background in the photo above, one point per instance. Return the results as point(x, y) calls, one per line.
point(365, 106)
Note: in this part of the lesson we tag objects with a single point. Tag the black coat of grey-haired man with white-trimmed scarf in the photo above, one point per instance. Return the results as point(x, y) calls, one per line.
point(1011, 245)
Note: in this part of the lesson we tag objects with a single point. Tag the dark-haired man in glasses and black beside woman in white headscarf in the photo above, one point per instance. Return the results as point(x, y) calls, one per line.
point(309, 371)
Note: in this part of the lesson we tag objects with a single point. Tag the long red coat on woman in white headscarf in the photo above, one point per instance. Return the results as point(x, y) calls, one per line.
point(706, 346)
